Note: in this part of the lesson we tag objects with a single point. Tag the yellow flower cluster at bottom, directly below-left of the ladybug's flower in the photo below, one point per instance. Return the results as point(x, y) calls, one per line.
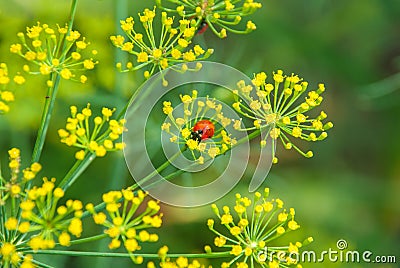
point(123, 221)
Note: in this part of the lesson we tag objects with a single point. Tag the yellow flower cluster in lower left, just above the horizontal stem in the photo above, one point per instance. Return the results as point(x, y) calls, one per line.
point(41, 213)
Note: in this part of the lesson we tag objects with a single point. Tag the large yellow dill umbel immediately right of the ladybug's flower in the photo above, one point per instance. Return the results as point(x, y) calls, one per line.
point(279, 105)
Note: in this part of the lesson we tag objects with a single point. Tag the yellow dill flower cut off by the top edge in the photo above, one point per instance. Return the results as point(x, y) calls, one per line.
point(220, 15)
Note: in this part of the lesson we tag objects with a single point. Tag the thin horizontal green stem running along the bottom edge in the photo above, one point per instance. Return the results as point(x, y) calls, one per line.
point(128, 255)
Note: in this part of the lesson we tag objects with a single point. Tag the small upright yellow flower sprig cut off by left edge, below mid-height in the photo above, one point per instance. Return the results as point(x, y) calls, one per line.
point(15, 185)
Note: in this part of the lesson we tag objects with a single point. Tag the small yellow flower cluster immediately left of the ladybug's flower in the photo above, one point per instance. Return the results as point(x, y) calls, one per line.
point(98, 137)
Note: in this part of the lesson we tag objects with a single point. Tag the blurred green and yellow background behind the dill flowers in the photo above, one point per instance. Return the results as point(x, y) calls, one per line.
point(348, 190)
